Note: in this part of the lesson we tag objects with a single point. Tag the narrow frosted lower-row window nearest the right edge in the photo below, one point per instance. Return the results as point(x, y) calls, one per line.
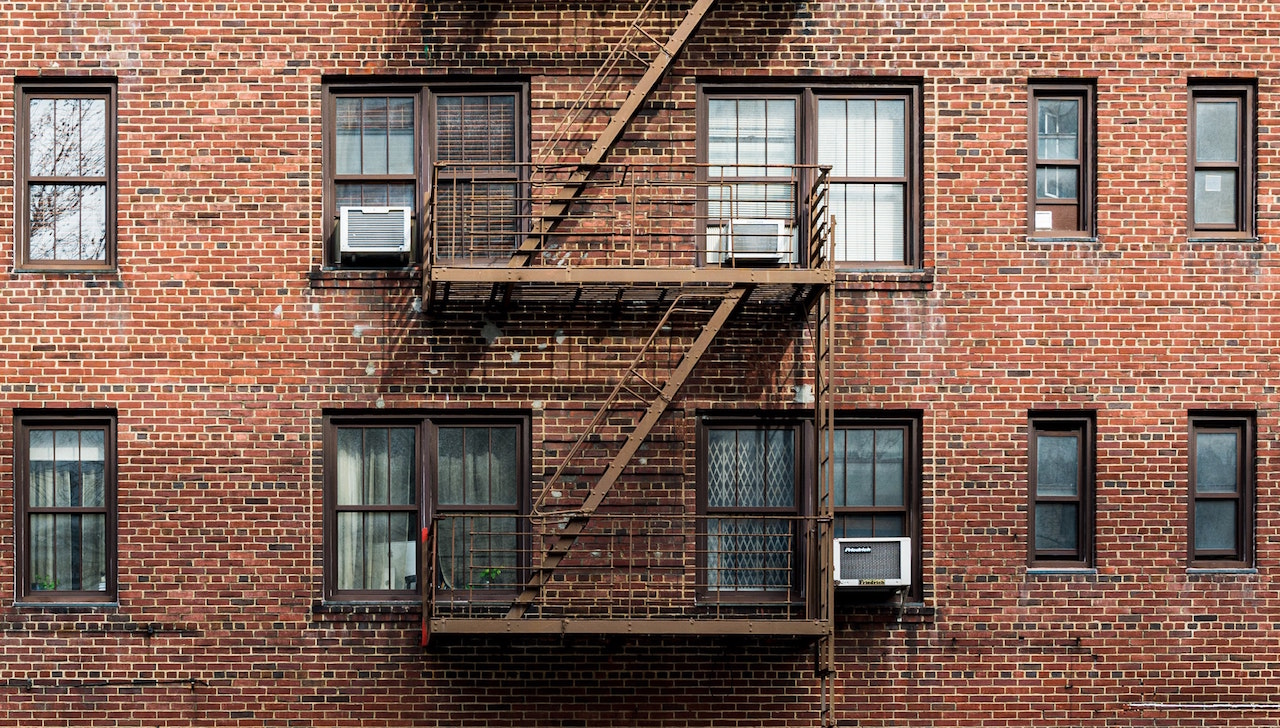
point(1222, 491)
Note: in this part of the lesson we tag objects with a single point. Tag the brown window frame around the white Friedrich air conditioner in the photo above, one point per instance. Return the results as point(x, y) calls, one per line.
point(909, 427)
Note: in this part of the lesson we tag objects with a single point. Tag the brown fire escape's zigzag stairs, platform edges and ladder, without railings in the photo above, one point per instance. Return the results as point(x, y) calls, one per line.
point(708, 295)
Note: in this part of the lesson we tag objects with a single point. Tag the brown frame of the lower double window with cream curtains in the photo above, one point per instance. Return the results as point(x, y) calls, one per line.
point(428, 509)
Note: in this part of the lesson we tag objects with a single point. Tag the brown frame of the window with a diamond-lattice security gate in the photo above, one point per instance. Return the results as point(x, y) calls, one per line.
point(802, 548)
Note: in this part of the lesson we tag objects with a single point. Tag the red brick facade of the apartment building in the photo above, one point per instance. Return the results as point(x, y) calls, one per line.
point(222, 340)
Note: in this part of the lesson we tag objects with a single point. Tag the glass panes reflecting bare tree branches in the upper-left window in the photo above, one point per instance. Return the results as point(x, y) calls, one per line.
point(67, 180)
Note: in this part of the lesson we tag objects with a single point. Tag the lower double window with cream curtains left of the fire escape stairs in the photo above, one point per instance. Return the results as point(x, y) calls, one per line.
point(388, 478)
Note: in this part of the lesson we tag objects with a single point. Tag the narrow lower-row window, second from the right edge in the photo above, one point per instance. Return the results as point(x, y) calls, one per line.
point(1060, 459)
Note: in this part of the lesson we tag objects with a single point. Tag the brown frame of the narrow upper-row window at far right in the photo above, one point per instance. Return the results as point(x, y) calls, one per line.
point(1245, 167)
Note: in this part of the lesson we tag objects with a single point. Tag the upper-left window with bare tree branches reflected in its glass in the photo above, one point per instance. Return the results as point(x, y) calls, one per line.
point(67, 177)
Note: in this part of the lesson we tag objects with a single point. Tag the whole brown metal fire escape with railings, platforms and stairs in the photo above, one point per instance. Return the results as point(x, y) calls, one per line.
point(656, 239)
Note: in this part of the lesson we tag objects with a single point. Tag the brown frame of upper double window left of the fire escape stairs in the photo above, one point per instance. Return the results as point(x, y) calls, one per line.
point(426, 97)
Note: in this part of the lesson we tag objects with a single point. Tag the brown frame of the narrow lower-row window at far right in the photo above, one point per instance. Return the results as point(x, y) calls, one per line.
point(1245, 427)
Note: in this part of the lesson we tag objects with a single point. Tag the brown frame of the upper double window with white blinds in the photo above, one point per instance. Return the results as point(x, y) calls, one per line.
point(808, 127)
